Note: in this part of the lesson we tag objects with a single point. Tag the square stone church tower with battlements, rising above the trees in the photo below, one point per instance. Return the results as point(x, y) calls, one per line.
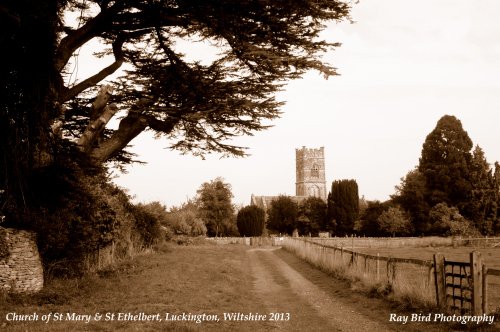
point(310, 172)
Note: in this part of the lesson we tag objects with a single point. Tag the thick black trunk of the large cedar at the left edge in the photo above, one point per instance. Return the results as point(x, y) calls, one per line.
point(28, 83)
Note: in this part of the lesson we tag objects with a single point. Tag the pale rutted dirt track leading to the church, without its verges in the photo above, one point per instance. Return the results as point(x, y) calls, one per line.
point(282, 289)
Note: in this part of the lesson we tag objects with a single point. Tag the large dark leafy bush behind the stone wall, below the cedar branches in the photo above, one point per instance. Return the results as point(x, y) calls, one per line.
point(76, 219)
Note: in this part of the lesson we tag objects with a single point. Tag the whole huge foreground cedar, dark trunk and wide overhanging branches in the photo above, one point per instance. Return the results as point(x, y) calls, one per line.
point(197, 105)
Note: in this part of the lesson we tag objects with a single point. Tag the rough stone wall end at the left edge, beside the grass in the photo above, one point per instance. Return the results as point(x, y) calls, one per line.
point(21, 271)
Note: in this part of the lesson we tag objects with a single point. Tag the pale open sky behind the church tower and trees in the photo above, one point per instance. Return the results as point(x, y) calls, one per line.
point(403, 65)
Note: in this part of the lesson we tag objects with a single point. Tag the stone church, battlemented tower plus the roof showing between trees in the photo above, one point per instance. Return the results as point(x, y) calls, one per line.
point(310, 178)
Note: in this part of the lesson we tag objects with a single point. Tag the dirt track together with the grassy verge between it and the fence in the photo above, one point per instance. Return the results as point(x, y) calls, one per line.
point(315, 300)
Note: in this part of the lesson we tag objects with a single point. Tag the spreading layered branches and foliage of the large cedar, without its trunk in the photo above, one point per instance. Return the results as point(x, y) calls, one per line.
point(197, 105)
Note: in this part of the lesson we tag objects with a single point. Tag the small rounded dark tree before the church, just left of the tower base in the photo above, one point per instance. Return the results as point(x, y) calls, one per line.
point(282, 215)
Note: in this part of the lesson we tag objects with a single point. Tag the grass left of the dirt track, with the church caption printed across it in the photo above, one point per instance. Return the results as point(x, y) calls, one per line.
point(197, 279)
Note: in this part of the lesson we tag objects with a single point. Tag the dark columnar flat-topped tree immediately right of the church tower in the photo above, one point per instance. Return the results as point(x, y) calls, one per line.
point(343, 206)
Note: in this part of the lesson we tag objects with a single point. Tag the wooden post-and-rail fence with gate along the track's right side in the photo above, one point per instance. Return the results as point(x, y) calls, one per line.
point(422, 279)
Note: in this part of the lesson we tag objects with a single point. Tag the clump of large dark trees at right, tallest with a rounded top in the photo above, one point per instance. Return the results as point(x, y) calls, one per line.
point(451, 176)
